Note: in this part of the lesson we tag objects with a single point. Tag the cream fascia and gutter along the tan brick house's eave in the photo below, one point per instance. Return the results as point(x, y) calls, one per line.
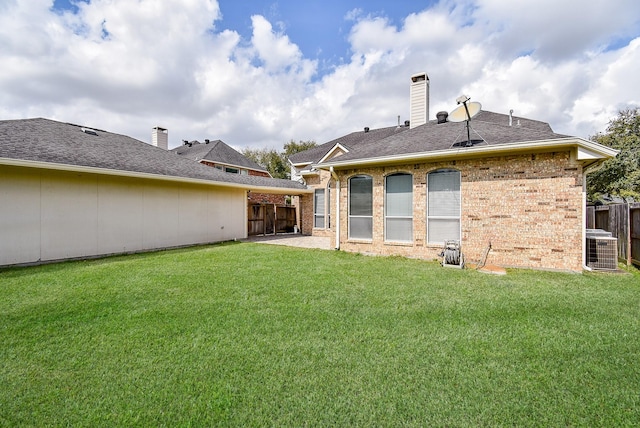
point(597, 151)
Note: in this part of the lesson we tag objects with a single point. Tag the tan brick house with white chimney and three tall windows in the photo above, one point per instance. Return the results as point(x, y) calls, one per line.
point(515, 186)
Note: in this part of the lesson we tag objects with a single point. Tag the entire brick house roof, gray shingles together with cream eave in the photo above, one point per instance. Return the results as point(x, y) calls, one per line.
point(490, 133)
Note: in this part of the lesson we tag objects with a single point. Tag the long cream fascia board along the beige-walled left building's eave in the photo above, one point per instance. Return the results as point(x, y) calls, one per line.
point(144, 175)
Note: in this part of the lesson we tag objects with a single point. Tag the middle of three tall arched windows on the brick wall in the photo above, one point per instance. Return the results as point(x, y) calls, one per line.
point(398, 206)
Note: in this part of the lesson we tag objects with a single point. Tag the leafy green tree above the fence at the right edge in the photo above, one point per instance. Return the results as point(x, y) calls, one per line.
point(619, 176)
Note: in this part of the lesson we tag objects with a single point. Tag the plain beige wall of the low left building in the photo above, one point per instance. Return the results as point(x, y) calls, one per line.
point(51, 215)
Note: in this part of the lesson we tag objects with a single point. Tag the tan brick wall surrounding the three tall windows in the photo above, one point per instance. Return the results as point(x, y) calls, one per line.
point(529, 207)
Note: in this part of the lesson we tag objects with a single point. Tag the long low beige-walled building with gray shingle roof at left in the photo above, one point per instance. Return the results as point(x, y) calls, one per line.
point(68, 191)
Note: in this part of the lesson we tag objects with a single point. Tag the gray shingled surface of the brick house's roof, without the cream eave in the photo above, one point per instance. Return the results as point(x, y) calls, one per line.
point(487, 128)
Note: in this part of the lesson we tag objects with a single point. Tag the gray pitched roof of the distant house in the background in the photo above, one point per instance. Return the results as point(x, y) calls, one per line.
point(219, 152)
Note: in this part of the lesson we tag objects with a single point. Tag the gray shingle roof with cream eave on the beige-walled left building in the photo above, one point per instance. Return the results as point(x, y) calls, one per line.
point(49, 144)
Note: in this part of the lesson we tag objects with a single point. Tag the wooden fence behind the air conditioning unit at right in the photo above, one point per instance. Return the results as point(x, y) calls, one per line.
point(623, 221)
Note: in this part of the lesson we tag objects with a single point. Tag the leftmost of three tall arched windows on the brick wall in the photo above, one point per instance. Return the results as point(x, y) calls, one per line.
point(361, 207)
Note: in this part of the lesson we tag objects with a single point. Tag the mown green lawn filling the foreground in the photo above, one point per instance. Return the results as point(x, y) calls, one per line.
point(254, 335)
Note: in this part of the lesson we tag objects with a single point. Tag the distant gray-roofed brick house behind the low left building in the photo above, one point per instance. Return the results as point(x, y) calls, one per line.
point(223, 157)
